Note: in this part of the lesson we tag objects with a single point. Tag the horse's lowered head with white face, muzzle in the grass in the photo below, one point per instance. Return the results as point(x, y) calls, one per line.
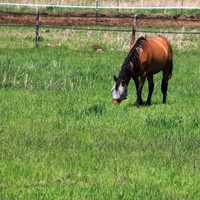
point(119, 90)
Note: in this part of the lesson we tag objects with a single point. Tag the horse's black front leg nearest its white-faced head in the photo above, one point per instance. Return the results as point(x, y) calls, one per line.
point(139, 83)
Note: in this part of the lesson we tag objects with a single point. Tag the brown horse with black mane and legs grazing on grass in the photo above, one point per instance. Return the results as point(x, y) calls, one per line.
point(148, 56)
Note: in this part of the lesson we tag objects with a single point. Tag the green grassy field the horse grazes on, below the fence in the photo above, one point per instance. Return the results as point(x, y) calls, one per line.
point(60, 137)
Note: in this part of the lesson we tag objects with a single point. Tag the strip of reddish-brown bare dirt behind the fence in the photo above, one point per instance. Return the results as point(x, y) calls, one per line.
point(161, 21)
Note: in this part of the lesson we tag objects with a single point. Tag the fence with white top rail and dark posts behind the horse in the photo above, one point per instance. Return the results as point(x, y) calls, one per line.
point(98, 7)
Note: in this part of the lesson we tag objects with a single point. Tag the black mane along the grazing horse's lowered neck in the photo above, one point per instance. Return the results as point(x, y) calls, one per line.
point(133, 57)
